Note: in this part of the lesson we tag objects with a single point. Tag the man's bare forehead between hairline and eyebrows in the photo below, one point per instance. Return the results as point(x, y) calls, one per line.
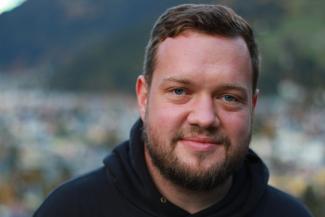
point(199, 55)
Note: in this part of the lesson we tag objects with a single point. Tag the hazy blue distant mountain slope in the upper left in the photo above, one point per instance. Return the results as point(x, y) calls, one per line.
point(43, 30)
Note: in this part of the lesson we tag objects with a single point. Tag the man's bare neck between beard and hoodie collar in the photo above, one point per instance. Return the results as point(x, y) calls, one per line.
point(191, 201)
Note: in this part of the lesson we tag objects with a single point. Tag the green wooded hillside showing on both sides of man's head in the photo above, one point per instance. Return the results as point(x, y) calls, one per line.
point(290, 36)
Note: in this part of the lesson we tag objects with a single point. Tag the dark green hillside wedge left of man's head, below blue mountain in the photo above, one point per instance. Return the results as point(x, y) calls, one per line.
point(111, 64)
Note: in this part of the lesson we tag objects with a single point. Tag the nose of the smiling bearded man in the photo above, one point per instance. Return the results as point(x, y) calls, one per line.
point(203, 113)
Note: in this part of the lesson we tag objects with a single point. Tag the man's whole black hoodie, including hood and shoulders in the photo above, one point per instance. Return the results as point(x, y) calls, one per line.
point(124, 188)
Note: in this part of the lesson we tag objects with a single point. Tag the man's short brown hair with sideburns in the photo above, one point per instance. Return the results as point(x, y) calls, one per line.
point(209, 19)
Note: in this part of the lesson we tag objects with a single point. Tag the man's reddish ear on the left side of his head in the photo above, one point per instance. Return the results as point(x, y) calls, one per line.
point(142, 95)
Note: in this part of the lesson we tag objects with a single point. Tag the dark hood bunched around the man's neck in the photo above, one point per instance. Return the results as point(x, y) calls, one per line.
point(127, 168)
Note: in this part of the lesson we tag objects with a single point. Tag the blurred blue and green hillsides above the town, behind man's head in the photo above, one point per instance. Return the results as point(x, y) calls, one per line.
point(98, 45)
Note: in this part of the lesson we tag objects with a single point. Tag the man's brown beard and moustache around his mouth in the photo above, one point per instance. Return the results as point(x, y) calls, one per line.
point(180, 173)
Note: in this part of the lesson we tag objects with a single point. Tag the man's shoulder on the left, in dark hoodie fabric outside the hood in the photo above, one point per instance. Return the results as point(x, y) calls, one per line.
point(71, 197)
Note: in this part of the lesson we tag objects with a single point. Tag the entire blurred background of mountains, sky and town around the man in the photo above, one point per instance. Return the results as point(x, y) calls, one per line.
point(67, 75)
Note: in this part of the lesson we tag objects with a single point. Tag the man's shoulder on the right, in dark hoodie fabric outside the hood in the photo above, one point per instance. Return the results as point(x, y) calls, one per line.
point(278, 203)
